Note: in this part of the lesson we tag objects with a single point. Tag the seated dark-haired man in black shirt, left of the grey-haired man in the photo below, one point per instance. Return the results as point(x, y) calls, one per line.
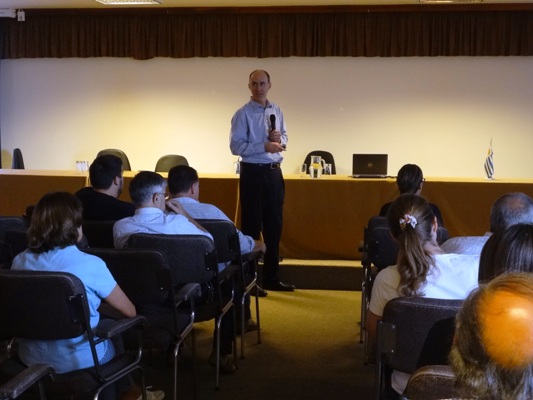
point(100, 202)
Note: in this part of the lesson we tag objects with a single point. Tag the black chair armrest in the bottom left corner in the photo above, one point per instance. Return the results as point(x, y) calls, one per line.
point(24, 380)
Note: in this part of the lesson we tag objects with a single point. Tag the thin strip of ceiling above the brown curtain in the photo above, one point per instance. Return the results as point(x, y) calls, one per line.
point(26, 4)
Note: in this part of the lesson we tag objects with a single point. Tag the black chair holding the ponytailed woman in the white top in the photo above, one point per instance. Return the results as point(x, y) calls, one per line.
point(413, 332)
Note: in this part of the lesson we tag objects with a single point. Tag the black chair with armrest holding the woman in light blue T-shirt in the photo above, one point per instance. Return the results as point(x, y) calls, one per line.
point(53, 305)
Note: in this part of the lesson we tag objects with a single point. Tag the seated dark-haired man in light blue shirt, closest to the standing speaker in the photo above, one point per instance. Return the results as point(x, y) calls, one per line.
point(184, 188)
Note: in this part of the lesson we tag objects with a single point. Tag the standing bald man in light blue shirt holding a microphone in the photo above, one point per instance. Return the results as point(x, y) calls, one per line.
point(258, 136)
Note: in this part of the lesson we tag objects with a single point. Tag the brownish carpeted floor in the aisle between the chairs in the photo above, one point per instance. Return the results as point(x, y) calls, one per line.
point(310, 350)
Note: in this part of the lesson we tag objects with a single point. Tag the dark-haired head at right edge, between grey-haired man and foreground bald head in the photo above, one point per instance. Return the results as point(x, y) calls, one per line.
point(507, 250)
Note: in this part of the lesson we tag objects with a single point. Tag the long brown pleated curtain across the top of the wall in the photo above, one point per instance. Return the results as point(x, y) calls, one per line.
point(270, 32)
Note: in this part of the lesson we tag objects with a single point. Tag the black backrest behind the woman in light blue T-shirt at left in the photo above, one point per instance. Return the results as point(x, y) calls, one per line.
point(53, 304)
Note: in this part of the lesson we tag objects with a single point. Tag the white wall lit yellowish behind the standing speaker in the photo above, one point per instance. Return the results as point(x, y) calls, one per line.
point(440, 113)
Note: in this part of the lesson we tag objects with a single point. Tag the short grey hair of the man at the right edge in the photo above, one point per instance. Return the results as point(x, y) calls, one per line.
point(511, 209)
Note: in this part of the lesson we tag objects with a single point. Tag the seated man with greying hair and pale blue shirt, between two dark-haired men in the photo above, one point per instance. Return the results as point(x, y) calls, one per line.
point(147, 191)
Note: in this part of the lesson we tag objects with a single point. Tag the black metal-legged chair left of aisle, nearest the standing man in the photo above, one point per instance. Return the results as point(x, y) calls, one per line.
point(229, 251)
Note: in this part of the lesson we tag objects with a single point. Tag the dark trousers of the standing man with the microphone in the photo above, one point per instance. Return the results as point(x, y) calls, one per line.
point(262, 192)
